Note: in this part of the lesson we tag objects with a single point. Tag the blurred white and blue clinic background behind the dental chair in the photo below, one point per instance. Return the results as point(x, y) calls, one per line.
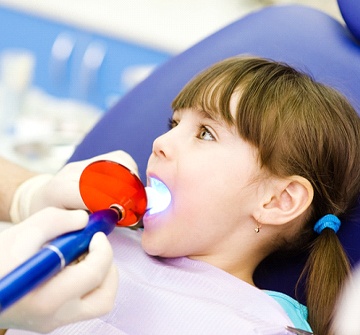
point(63, 64)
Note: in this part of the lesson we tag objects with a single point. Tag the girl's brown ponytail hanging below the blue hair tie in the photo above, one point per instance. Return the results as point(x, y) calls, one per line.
point(325, 271)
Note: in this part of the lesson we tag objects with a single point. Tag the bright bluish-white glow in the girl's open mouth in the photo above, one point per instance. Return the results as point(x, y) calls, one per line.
point(158, 196)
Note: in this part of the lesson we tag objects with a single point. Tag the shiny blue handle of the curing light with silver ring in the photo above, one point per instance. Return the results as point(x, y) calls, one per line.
point(53, 257)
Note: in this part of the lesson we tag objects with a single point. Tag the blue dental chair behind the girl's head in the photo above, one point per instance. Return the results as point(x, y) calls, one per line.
point(303, 37)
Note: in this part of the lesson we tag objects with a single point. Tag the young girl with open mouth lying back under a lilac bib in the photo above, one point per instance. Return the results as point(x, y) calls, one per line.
point(257, 157)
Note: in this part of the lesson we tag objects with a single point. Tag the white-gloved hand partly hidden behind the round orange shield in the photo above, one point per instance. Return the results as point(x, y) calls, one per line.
point(61, 190)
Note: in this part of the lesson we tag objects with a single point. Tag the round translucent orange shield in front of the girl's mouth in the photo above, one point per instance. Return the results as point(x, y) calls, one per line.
point(105, 183)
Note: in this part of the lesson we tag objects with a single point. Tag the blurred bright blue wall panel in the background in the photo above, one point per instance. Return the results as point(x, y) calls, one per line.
point(73, 77)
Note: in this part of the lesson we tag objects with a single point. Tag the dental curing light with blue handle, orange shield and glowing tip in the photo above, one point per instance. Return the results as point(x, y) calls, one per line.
point(115, 196)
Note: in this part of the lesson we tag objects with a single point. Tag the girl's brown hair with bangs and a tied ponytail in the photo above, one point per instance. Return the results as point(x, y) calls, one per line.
point(300, 127)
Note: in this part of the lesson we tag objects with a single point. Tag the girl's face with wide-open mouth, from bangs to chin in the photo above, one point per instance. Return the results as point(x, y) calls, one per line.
point(210, 173)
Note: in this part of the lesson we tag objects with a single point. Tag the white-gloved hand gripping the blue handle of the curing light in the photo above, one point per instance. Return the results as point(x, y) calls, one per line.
point(79, 292)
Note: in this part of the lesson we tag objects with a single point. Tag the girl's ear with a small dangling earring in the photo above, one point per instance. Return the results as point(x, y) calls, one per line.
point(284, 200)
